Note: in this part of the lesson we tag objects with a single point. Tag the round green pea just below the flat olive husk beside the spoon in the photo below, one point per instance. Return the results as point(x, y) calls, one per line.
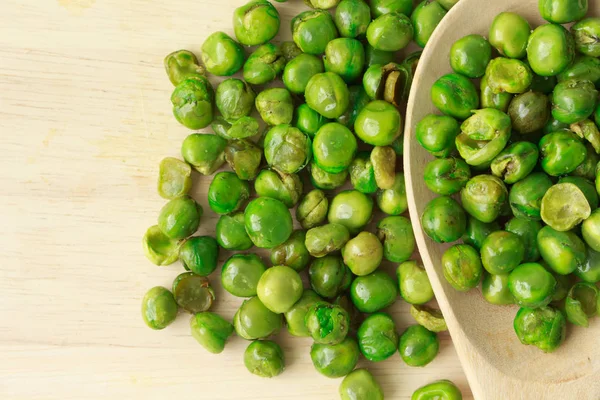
point(418, 346)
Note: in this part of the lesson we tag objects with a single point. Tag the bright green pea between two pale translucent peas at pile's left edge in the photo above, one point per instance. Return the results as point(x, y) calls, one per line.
point(180, 217)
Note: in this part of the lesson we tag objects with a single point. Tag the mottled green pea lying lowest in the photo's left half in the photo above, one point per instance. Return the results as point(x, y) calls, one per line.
point(264, 358)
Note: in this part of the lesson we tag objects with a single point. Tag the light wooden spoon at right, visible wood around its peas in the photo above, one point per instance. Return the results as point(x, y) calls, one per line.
point(497, 365)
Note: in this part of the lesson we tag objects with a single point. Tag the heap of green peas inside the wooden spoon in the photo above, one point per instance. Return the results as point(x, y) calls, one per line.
point(522, 155)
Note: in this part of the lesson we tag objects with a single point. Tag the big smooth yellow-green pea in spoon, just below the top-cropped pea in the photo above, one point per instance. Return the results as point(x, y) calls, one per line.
point(543, 61)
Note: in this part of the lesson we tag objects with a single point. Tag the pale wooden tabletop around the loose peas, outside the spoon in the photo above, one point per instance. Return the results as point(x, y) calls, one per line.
point(84, 121)
